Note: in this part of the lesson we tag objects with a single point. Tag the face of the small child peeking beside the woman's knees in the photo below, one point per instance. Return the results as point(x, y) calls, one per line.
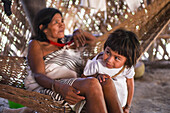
point(112, 59)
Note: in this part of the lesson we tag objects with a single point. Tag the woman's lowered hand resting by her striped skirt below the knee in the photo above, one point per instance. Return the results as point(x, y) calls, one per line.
point(70, 94)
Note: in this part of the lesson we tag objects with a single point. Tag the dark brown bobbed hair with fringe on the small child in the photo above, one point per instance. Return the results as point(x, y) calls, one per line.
point(126, 44)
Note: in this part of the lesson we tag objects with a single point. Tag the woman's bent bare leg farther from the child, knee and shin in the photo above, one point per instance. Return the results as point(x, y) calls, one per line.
point(91, 89)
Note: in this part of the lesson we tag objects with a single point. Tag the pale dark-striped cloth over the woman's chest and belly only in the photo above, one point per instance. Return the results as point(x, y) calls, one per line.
point(62, 66)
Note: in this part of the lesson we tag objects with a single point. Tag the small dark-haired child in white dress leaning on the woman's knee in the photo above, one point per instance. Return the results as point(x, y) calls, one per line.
point(121, 51)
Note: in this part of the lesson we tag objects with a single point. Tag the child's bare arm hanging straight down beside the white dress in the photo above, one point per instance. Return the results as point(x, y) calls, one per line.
point(130, 86)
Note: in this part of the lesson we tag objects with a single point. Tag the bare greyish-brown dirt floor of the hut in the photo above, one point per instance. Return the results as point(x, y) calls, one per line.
point(152, 91)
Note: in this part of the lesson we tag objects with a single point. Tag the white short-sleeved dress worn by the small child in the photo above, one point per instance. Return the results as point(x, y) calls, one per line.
point(97, 66)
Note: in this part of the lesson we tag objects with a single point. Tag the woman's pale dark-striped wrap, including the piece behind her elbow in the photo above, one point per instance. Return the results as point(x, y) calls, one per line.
point(59, 64)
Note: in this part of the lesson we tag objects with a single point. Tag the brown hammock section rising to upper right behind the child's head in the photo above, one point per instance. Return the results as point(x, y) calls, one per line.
point(147, 24)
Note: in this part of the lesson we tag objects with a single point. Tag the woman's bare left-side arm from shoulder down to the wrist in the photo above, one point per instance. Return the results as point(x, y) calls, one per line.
point(36, 63)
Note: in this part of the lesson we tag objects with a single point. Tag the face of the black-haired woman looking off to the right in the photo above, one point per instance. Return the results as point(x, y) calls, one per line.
point(56, 27)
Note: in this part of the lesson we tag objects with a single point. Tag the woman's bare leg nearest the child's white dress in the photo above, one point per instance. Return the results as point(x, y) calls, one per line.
point(111, 98)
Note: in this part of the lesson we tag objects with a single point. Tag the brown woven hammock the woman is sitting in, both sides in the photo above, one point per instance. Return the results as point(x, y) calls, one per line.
point(13, 69)
